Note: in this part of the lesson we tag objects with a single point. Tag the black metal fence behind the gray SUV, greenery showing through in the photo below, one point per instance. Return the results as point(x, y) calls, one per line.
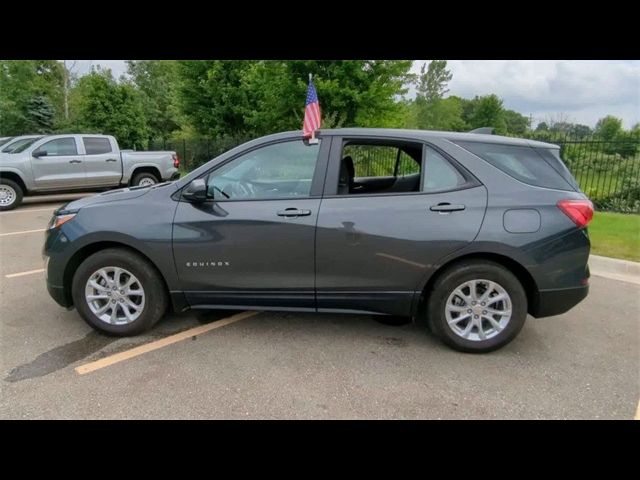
point(607, 171)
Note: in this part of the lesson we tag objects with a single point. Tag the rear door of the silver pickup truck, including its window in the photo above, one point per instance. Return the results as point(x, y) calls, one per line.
point(102, 163)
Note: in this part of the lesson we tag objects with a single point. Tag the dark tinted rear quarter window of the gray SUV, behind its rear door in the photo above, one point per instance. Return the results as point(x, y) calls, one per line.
point(521, 163)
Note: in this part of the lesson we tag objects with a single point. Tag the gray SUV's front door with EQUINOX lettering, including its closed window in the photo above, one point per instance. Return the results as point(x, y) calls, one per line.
point(252, 243)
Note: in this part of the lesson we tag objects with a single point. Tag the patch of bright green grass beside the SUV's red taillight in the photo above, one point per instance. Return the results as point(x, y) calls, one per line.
point(615, 235)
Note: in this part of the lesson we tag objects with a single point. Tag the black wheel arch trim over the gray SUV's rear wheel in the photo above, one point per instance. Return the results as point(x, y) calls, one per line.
point(522, 274)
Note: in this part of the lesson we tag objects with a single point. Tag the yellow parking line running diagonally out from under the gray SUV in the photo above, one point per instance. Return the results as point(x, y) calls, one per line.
point(149, 347)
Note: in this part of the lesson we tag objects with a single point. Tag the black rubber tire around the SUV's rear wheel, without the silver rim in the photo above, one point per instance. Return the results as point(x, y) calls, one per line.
point(470, 270)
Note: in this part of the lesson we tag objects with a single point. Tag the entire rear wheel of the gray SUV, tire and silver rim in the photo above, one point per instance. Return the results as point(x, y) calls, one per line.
point(477, 306)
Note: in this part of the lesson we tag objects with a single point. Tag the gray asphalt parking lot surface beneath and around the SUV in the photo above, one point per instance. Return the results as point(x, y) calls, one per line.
point(581, 365)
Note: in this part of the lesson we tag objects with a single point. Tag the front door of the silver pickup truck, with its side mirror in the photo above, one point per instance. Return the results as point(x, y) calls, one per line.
point(60, 166)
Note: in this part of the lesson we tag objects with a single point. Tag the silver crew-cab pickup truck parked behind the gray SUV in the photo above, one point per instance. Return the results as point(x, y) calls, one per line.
point(77, 162)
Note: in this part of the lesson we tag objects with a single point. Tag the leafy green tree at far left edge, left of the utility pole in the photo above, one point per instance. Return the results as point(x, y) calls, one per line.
point(26, 86)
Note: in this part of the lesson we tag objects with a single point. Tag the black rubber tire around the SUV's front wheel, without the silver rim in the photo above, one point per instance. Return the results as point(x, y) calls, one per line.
point(155, 294)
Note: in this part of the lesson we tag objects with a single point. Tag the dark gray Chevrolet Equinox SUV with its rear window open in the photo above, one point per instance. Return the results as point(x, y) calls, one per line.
point(465, 232)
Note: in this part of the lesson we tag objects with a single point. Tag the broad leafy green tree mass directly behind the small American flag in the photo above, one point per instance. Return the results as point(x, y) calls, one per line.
point(251, 98)
